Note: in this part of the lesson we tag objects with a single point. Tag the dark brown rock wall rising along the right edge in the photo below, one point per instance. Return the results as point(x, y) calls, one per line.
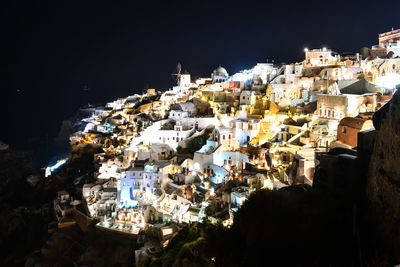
point(383, 186)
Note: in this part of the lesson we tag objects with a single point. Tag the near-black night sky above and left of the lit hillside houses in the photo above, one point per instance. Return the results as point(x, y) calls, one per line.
point(52, 48)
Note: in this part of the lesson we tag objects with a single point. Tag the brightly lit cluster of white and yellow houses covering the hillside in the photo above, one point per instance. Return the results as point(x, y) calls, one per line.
point(171, 156)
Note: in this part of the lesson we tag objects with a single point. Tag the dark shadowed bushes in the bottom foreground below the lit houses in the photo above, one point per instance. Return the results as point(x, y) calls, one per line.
point(278, 228)
